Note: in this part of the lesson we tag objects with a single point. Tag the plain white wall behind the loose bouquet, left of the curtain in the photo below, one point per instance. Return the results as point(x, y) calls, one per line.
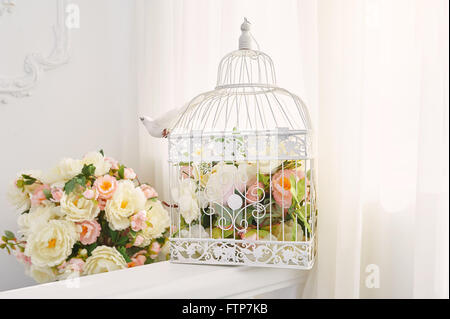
point(88, 104)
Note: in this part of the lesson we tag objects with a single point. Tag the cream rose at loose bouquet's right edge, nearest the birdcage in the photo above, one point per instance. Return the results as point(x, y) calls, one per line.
point(157, 221)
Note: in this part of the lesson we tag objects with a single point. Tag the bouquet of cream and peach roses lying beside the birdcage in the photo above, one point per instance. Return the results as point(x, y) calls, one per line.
point(85, 216)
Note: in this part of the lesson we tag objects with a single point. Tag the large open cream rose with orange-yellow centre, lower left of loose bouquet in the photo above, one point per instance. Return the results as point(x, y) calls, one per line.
point(51, 244)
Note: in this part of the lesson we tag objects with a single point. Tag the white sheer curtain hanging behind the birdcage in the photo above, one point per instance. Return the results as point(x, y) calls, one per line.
point(374, 74)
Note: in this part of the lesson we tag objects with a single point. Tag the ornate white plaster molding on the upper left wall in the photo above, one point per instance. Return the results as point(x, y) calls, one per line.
point(35, 64)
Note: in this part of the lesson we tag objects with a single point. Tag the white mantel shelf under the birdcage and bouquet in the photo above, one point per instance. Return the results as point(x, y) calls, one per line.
point(168, 280)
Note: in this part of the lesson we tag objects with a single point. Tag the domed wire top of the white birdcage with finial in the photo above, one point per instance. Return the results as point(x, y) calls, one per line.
point(246, 97)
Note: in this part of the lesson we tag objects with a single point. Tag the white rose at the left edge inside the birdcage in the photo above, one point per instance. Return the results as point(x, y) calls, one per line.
point(184, 195)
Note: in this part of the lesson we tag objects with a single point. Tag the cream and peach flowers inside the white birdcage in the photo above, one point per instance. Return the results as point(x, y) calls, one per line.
point(264, 200)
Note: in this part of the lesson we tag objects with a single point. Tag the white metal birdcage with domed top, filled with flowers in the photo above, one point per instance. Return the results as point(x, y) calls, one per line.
point(242, 170)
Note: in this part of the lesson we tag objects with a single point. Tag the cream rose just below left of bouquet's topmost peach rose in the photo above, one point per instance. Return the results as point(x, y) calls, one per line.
point(78, 208)
